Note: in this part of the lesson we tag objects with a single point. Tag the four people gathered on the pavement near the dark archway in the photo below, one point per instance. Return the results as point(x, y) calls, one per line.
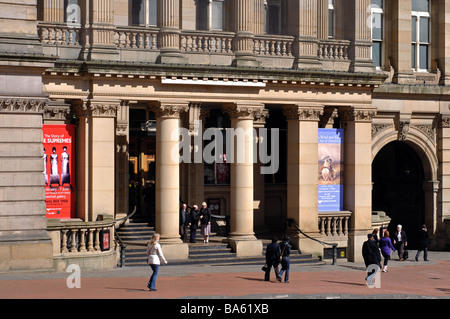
point(374, 248)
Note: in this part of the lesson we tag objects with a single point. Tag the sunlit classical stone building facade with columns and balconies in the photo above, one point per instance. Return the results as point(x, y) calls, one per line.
point(130, 73)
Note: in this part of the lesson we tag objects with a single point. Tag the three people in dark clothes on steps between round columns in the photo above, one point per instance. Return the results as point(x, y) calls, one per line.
point(191, 218)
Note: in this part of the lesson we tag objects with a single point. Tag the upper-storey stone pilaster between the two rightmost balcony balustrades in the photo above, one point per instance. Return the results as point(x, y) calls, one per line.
point(302, 21)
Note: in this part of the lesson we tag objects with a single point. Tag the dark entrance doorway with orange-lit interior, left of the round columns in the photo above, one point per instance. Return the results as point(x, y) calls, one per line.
point(142, 165)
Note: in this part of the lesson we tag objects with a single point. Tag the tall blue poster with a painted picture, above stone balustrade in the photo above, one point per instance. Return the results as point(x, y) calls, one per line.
point(331, 170)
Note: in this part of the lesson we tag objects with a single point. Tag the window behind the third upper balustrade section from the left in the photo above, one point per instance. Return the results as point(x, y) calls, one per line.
point(210, 15)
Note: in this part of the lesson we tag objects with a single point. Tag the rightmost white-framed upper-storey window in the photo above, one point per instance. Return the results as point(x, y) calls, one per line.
point(420, 35)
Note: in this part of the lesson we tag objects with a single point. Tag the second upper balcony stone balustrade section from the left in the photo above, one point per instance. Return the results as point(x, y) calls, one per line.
point(136, 38)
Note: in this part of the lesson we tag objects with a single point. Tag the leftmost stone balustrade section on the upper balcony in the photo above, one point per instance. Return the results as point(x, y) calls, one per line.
point(58, 34)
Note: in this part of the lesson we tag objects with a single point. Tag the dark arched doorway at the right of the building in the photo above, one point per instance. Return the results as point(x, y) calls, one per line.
point(398, 176)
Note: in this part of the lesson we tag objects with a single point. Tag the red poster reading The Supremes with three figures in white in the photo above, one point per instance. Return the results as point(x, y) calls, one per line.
point(59, 170)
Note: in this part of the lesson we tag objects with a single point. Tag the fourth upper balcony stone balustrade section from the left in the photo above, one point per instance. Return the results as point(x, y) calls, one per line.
point(271, 45)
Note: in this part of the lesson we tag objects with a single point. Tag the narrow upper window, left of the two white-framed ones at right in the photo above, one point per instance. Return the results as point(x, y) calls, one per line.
point(377, 32)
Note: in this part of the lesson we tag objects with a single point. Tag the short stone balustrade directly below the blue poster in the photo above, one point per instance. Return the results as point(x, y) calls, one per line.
point(334, 223)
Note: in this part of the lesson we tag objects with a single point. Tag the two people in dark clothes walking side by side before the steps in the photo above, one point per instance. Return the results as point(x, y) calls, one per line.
point(276, 254)
